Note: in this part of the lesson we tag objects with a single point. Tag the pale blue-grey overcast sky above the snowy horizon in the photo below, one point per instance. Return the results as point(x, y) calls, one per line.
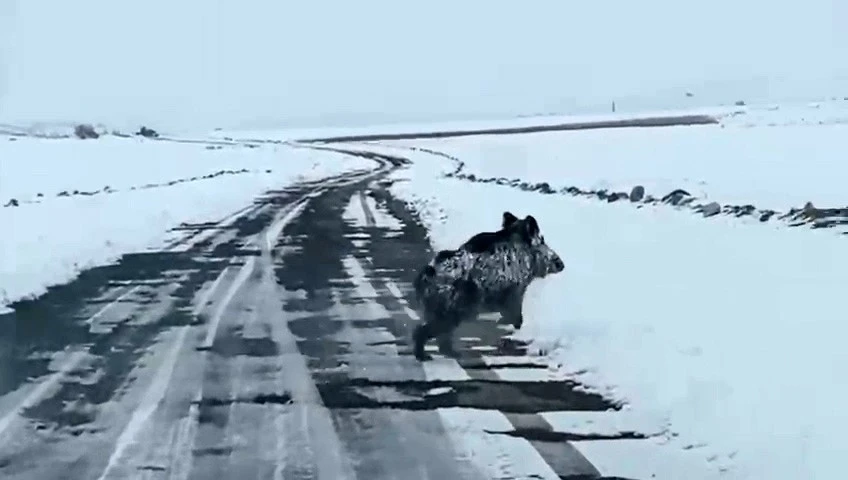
point(199, 63)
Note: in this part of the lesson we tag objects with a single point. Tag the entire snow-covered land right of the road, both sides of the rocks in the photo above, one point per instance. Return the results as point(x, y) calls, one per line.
point(727, 331)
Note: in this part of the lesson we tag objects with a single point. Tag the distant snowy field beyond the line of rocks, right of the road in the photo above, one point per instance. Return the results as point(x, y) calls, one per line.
point(739, 162)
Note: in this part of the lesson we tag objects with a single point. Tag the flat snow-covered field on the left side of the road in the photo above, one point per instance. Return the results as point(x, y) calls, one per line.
point(153, 186)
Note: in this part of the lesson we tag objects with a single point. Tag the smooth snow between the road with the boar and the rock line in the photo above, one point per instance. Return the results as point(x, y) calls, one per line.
point(731, 331)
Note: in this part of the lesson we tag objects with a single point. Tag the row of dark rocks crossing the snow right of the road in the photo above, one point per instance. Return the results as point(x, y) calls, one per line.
point(808, 215)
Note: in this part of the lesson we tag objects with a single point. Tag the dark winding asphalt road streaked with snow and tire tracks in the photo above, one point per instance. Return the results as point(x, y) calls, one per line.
point(272, 344)
